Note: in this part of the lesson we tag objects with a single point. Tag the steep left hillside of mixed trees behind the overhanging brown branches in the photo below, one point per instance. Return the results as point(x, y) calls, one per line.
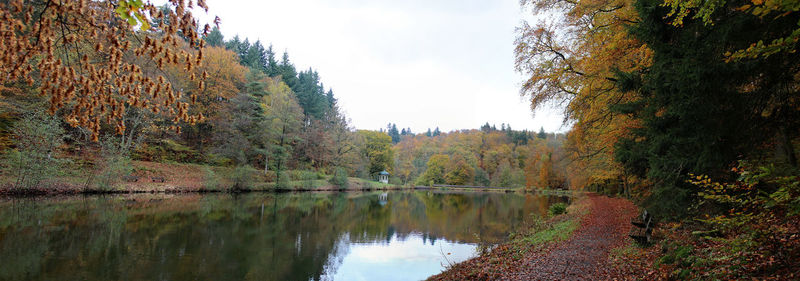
point(252, 110)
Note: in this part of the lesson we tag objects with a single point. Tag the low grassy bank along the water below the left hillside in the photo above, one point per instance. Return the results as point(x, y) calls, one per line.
point(154, 177)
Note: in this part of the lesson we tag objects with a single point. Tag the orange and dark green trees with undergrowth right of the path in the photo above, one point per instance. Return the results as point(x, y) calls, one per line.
point(690, 108)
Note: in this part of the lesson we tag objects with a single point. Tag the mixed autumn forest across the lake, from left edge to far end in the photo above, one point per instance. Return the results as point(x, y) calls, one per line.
point(243, 115)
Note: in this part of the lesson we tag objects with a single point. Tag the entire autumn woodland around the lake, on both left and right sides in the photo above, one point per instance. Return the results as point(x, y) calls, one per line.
point(688, 108)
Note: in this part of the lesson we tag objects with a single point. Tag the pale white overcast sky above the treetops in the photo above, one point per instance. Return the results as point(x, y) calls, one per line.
point(416, 63)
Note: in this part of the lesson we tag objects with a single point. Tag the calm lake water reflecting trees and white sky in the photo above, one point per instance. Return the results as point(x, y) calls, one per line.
point(306, 236)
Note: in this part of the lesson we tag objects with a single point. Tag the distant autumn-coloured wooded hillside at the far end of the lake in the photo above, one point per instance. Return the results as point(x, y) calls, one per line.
point(486, 157)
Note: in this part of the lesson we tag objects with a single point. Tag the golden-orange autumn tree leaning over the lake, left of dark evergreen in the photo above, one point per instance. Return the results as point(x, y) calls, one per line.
point(572, 59)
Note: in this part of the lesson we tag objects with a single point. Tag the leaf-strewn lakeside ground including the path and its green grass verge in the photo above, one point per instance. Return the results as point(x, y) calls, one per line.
point(601, 225)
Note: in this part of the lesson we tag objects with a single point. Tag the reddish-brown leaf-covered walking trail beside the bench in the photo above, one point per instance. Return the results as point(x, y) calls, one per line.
point(584, 256)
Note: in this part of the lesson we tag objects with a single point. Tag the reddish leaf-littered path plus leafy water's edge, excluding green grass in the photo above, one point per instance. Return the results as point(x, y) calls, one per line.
point(584, 256)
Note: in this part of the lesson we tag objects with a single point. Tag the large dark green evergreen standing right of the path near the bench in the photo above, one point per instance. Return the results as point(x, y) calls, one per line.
point(699, 112)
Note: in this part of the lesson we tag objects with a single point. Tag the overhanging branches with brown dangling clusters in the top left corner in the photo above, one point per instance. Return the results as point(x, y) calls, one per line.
point(85, 56)
